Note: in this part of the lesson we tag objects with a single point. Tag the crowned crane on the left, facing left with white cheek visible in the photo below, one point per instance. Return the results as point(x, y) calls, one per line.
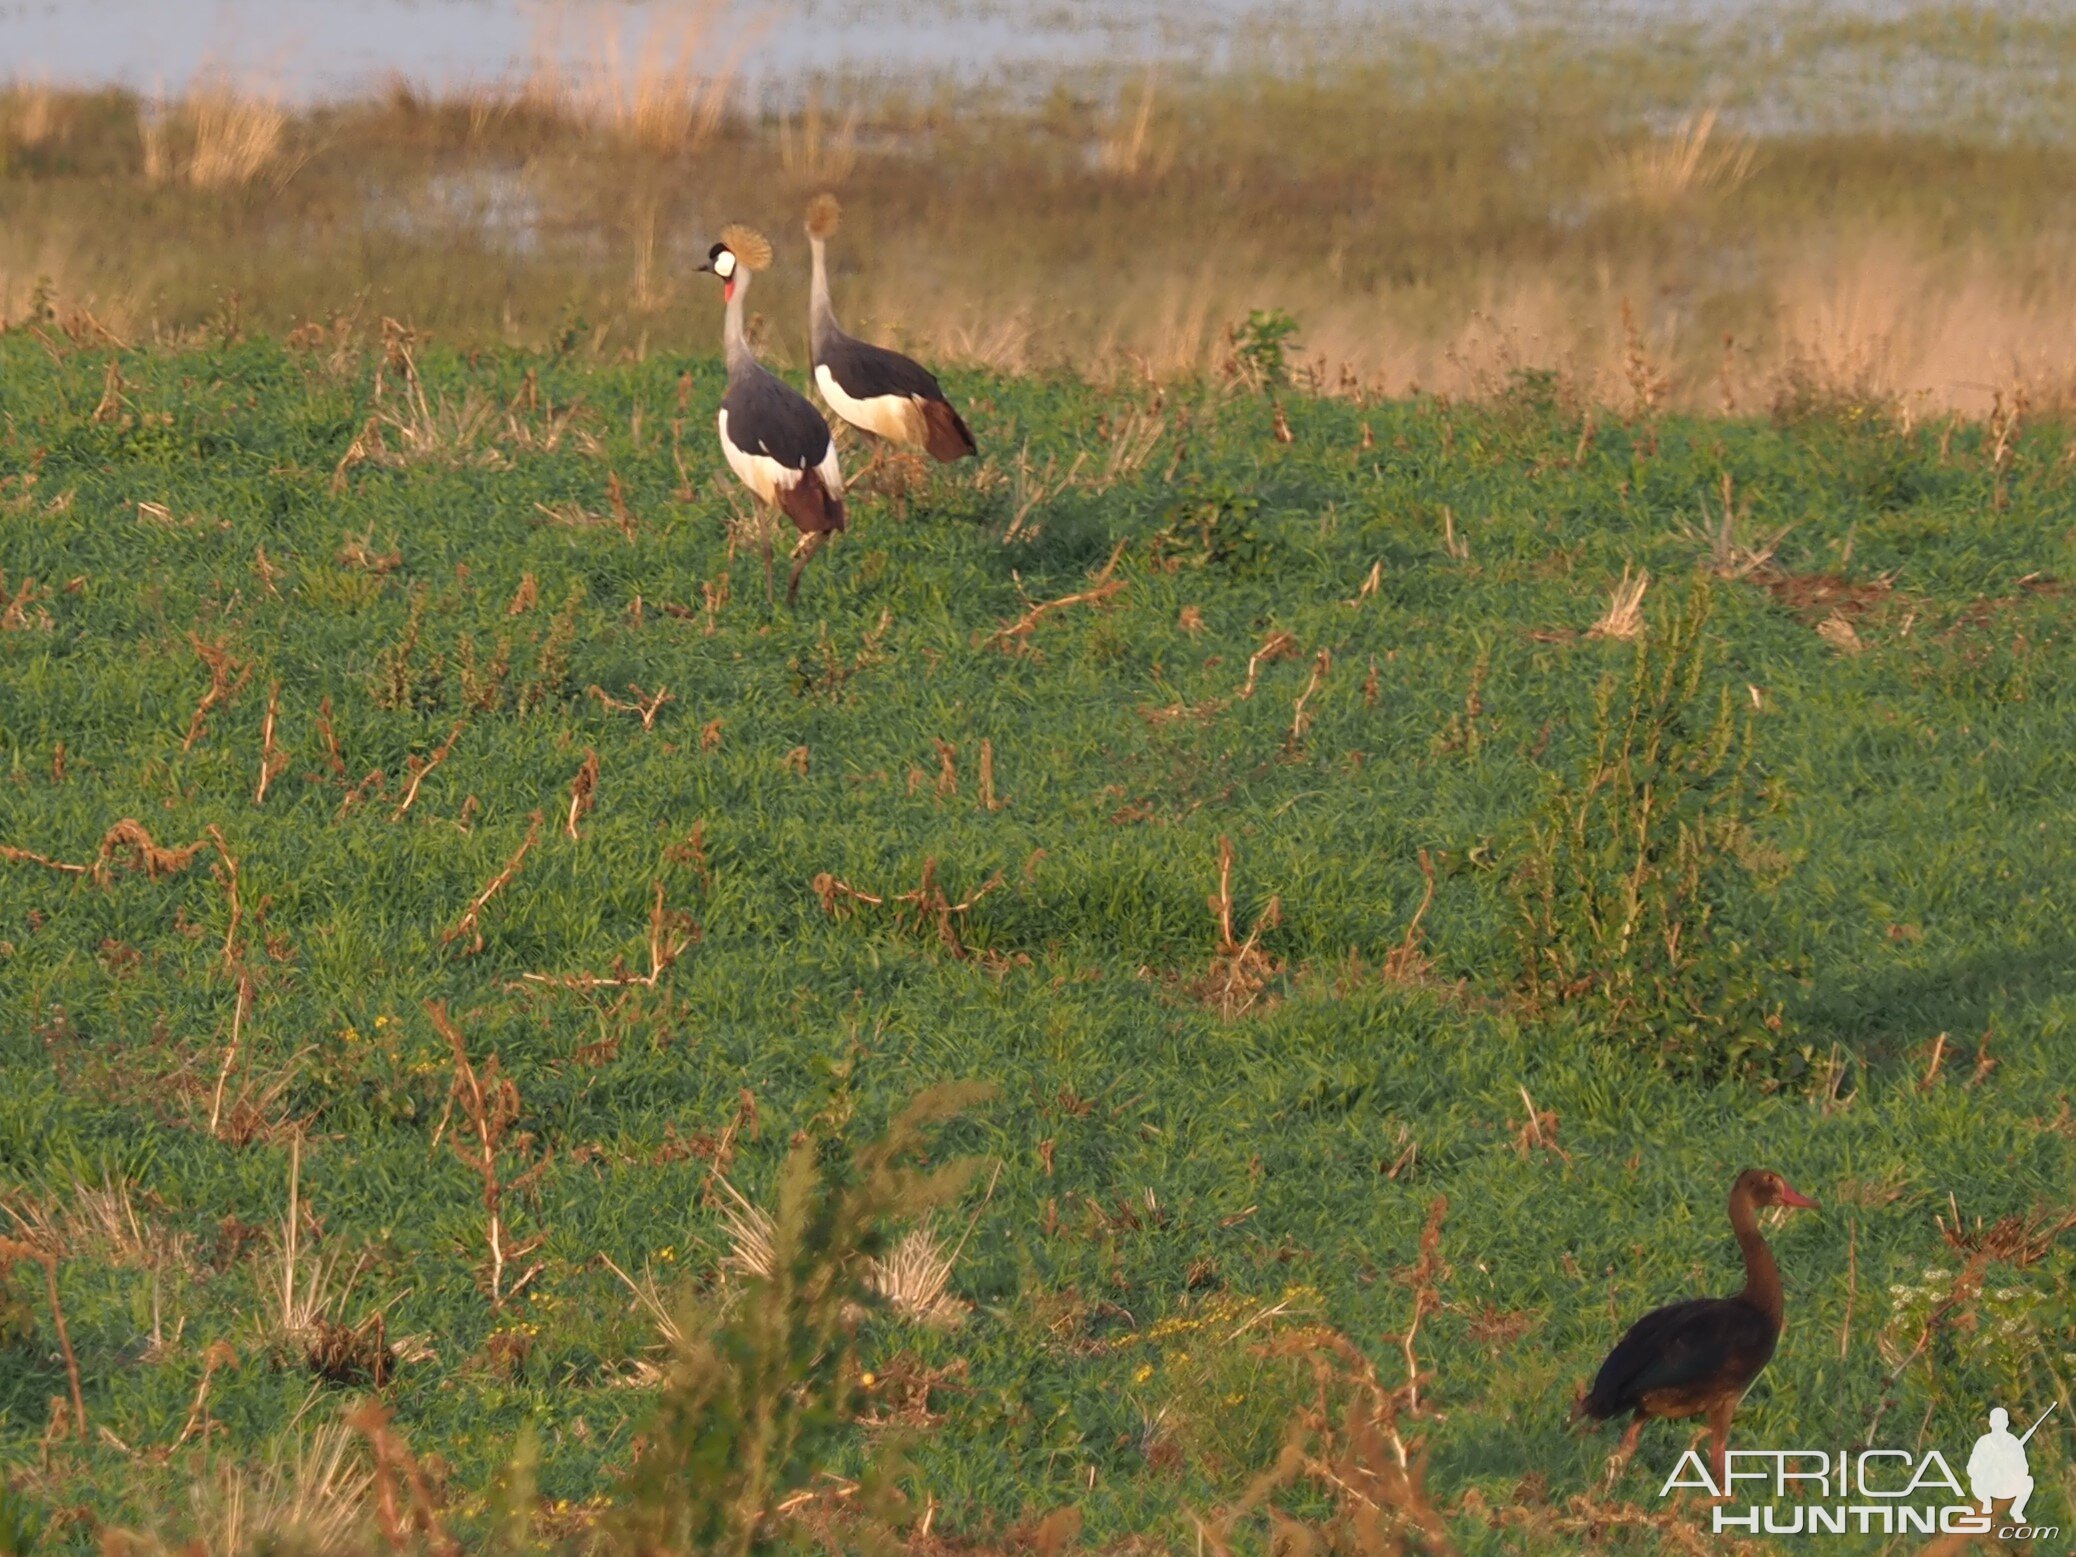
point(775, 441)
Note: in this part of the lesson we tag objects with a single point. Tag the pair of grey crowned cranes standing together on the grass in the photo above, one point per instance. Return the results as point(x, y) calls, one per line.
point(775, 441)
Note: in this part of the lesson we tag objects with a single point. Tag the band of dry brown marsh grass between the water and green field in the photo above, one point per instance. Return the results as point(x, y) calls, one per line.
point(1894, 269)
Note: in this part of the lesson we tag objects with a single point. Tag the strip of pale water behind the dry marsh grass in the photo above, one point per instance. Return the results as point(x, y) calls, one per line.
point(329, 49)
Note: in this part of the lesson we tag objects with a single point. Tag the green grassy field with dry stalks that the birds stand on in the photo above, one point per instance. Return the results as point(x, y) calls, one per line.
point(1180, 1184)
